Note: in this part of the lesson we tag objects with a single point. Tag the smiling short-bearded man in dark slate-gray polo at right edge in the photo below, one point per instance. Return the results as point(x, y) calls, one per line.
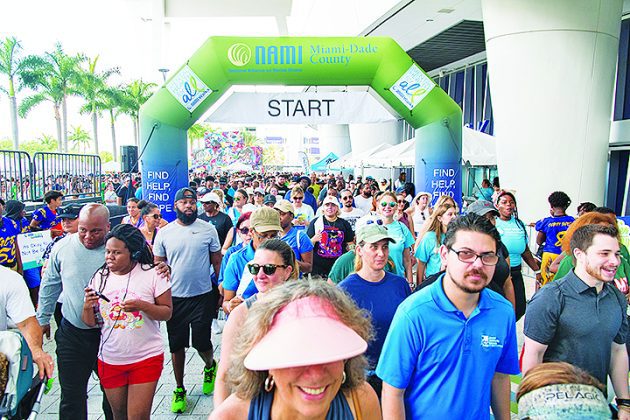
point(581, 318)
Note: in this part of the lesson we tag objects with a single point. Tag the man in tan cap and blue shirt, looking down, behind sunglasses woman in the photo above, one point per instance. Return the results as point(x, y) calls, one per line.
point(238, 283)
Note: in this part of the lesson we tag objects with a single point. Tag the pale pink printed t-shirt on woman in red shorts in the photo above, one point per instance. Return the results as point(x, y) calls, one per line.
point(129, 337)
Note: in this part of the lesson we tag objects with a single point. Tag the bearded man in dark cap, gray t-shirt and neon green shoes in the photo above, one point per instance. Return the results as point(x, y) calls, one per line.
point(193, 251)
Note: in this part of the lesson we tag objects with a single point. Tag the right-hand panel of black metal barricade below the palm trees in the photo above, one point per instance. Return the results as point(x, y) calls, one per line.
point(76, 176)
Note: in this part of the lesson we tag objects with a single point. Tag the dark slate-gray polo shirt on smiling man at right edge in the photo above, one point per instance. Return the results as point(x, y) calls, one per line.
point(577, 324)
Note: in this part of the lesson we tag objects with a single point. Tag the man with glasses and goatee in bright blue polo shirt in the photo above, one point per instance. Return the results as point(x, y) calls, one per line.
point(452, 346)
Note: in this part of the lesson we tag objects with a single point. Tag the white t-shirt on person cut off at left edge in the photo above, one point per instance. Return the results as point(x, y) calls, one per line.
point(15, 301)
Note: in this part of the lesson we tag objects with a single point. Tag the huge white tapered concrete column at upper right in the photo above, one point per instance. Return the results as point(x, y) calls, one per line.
point(551, 66)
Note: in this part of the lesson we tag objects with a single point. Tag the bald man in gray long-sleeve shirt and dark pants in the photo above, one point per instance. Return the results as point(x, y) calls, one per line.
point(72, 263)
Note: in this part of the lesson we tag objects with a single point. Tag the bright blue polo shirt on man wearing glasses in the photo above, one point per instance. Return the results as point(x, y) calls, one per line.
point(444, 361)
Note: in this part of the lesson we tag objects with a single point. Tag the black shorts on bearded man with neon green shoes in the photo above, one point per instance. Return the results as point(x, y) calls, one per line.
point(191, 313)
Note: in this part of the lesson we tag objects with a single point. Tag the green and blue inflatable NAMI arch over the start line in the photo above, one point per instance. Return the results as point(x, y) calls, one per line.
point(225, 61)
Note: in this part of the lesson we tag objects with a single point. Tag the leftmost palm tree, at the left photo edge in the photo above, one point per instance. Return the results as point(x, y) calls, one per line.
point(11, 66)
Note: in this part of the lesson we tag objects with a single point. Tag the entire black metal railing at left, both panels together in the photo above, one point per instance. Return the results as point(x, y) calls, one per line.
point(26, 179)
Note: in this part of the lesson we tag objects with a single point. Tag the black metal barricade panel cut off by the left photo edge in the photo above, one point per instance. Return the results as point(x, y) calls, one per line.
point(15, 176)
